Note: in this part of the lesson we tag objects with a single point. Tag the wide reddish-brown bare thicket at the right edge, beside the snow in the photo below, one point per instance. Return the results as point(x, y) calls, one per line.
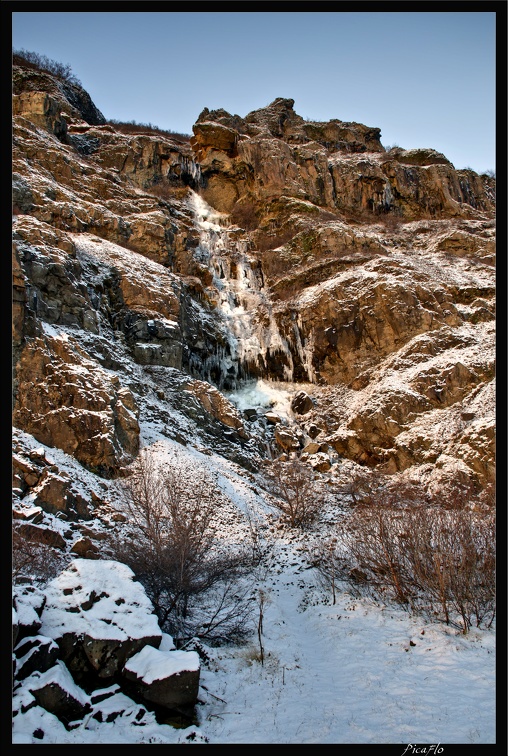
point(433, 559)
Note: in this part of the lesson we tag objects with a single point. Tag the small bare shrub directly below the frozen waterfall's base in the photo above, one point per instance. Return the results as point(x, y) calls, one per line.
point(297, 495)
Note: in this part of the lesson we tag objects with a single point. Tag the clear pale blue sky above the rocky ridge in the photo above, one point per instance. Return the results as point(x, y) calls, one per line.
point(426, 79)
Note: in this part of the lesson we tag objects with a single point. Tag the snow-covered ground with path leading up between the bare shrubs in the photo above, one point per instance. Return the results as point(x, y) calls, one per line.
point(354, 672)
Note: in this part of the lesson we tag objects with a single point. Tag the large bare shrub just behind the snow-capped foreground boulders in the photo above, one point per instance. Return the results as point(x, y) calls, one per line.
point(171, 544)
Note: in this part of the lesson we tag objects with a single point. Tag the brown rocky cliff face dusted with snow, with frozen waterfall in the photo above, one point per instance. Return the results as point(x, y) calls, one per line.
point(154, 277)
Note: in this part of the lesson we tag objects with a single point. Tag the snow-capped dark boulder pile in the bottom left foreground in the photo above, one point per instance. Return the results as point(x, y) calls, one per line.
point(97, 625)
